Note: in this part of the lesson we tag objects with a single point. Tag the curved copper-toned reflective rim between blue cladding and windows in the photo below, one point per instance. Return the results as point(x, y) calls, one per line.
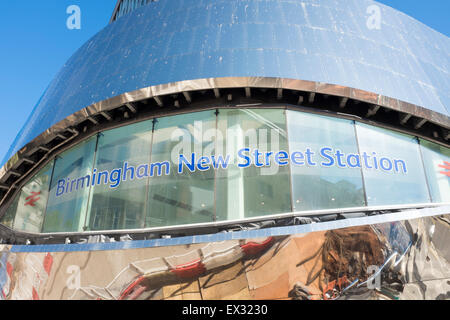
point(65, 130)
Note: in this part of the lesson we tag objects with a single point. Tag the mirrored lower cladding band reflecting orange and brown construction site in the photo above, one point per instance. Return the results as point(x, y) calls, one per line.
point(336, 264)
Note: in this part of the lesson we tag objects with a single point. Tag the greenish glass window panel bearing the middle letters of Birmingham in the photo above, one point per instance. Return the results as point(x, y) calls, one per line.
point(124, 154)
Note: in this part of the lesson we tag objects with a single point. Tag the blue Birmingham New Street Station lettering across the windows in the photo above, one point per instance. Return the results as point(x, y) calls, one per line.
point(327, 157)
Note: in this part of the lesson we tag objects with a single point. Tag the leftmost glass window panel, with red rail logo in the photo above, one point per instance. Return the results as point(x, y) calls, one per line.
point(32, 202)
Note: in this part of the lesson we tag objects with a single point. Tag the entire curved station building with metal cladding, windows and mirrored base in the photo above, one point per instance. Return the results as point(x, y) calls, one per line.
point(239, 127)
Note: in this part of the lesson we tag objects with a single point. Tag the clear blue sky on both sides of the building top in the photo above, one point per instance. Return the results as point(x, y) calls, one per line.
point(35, 44)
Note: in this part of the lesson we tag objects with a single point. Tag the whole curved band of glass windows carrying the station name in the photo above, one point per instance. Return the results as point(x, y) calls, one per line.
point(227, 164)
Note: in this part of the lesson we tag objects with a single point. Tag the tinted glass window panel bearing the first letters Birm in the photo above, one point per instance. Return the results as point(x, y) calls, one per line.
point(69, 192)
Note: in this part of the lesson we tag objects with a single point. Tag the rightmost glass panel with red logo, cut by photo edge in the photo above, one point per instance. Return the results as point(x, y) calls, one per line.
point(436, 159)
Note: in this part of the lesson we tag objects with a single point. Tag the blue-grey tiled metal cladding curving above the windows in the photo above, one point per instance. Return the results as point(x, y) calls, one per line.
point(317, 40)
